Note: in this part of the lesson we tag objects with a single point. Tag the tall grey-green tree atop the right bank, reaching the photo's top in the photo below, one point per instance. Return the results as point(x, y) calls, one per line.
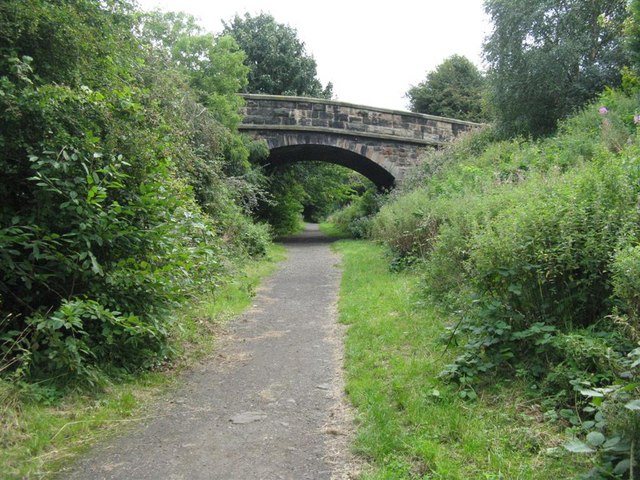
point(548, 57)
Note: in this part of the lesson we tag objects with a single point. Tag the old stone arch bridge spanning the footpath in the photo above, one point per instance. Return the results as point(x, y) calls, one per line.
point(380, 144)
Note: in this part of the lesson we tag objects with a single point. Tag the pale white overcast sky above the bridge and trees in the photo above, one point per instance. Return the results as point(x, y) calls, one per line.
point(372, 51)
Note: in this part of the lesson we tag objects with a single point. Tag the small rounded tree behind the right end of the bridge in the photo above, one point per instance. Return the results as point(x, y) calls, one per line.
point(454, 89)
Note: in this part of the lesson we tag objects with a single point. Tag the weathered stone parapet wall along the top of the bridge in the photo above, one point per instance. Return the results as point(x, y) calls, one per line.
point(271, 112)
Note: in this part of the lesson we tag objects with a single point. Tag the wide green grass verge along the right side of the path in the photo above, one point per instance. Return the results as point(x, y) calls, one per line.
point(413, 425)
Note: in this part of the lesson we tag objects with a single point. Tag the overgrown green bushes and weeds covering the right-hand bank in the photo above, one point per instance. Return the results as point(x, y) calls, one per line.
point(532, 246)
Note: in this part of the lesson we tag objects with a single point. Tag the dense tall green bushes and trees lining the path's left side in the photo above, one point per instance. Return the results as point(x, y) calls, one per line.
point(115, 204)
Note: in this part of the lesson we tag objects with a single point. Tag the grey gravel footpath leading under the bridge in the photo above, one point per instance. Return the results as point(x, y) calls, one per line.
point(268, 404)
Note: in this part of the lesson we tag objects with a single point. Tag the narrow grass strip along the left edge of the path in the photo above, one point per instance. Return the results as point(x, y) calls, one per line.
point(39, 433)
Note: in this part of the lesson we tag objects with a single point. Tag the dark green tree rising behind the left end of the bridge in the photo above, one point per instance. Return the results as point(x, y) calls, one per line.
point(277, 59)
